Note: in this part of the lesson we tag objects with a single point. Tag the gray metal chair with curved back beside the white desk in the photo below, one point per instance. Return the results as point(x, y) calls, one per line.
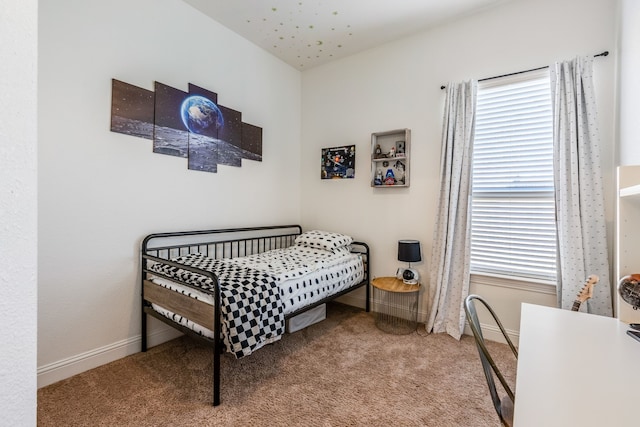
point(504, 405)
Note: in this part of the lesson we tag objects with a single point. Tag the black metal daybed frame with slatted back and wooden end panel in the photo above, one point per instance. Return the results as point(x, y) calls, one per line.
point(224, 243)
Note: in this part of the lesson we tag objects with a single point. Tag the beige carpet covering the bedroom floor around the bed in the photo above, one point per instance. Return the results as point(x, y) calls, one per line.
point(340, 372)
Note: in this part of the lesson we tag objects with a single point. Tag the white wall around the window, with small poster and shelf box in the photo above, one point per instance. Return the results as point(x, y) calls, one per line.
point(398, 85)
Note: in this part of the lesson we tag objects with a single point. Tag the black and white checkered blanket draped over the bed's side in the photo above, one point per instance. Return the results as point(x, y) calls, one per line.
point(252, 313)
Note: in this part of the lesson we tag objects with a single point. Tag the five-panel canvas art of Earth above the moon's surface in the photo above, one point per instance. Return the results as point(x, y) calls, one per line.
point(189, 124)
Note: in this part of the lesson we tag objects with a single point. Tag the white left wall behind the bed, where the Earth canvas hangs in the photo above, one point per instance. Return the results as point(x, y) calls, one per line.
point(101, 192)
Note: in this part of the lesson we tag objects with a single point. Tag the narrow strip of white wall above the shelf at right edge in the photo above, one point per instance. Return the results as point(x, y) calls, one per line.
point(629, 82)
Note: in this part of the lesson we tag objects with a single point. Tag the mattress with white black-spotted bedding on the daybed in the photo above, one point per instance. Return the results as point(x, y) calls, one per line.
point(302, 276)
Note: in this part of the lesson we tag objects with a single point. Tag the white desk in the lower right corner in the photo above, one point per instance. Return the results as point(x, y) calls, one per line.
point(575, 369)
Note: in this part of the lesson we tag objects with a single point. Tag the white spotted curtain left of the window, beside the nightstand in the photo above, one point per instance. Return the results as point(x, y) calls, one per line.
point(450, 255)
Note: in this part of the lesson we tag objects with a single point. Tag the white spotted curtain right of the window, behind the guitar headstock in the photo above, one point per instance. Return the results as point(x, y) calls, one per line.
point(582, 240)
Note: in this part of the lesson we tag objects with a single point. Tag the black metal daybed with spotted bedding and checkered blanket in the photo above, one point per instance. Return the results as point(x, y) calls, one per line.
point(236, 289)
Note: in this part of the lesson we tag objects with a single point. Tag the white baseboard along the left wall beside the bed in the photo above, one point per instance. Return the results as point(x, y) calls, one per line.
point(65, 368)
